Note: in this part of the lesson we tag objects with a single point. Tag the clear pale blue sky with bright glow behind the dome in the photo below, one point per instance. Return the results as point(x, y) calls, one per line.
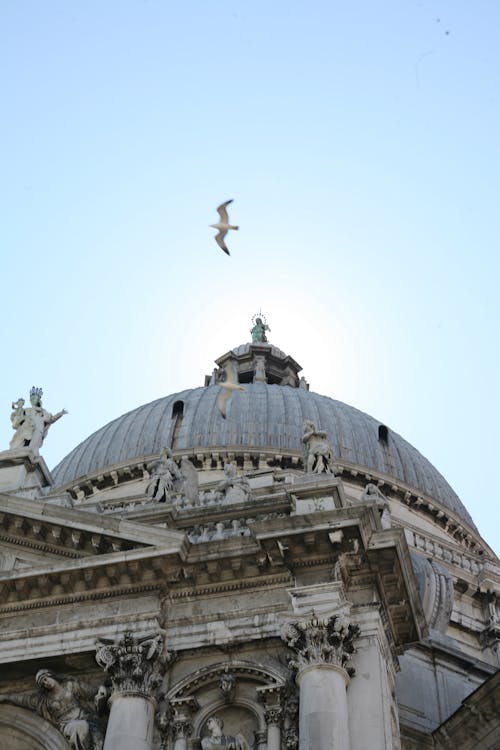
point(359, 141)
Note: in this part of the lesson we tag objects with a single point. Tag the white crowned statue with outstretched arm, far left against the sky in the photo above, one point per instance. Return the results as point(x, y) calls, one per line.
point(31, 423)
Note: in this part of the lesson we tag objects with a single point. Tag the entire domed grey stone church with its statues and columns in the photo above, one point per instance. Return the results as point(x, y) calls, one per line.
point(245, 565)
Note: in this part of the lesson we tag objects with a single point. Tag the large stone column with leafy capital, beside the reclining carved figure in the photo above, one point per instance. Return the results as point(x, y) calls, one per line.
point(136, 667)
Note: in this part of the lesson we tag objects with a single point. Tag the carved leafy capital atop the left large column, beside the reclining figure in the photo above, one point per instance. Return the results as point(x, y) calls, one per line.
point(135, 665)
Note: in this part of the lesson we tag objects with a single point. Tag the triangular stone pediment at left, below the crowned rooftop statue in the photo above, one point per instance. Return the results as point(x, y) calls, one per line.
point(57, 555)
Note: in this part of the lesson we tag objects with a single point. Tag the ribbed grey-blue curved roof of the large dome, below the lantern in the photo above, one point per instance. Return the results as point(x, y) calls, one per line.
point(263, 416)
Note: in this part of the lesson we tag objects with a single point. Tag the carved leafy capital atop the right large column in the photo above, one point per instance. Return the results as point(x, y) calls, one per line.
point(322, 641)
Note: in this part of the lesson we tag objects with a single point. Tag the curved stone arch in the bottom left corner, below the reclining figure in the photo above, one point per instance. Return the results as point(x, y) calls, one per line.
point(21, 729)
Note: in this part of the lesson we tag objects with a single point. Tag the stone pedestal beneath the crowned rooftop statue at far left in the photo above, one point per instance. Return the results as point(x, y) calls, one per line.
point(23, 469)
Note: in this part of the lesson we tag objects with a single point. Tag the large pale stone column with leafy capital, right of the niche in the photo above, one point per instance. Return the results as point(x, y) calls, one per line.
point(323, 649)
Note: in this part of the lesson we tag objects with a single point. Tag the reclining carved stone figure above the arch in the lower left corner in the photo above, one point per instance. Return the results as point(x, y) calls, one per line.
point(70, 705)
